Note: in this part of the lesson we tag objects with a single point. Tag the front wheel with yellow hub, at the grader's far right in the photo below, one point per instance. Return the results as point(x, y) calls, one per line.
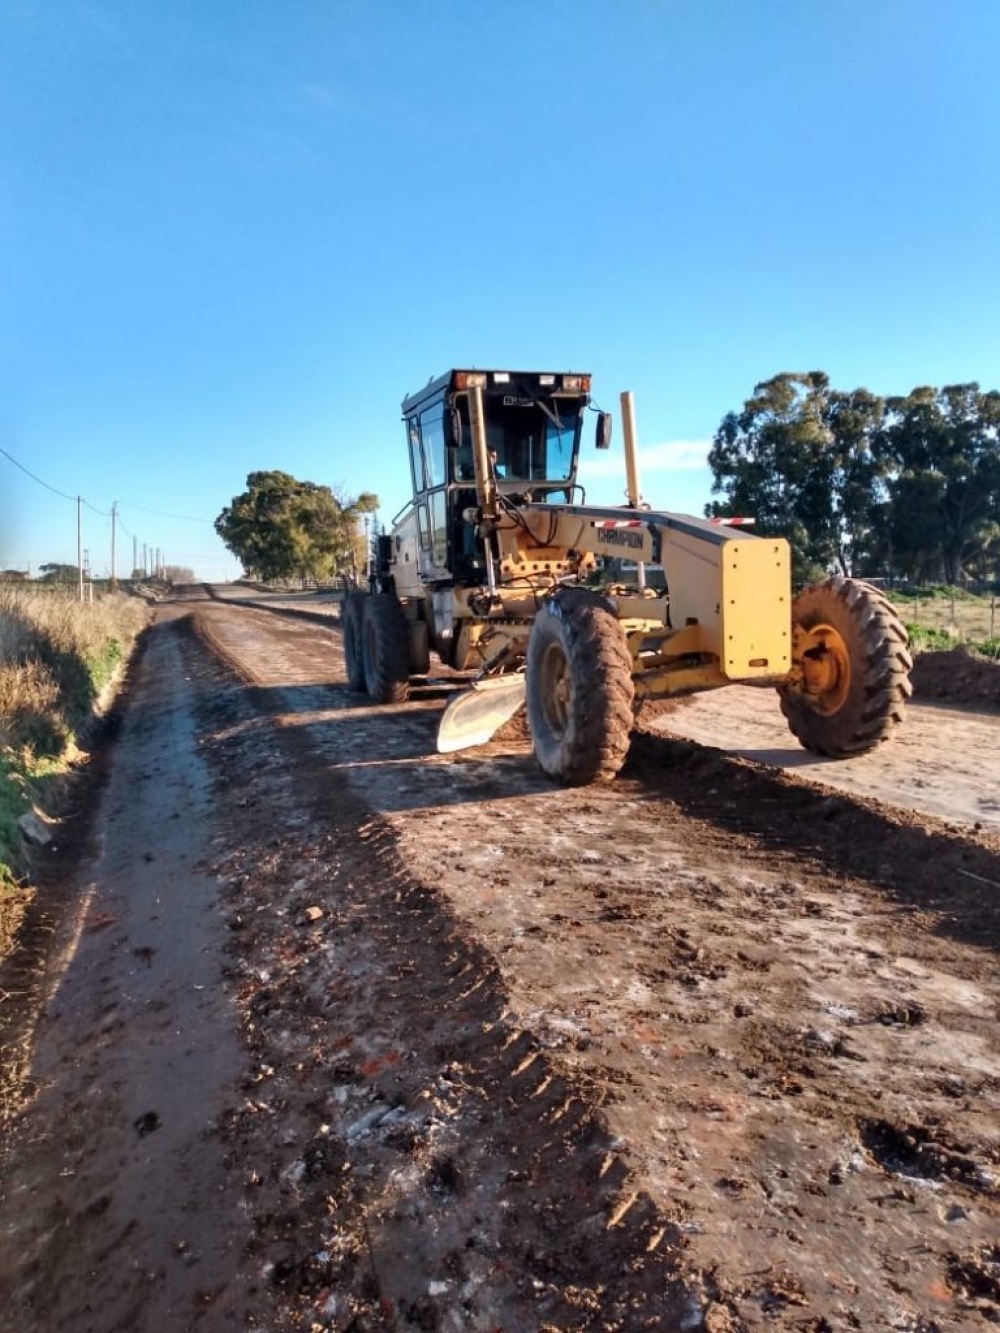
point(855, 683)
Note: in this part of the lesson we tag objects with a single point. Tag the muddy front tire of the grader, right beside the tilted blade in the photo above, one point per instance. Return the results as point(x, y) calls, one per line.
point(579, 691)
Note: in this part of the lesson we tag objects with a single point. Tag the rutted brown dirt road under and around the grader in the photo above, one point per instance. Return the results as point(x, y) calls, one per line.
point(713, 1048)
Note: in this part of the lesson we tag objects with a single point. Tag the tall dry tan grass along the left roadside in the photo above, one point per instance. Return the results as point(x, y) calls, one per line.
point(57, 658)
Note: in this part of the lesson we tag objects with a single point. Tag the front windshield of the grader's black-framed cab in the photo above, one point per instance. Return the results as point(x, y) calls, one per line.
point(530, 445)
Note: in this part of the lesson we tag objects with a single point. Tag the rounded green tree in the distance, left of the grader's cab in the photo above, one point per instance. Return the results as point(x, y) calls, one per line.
point(282, 529)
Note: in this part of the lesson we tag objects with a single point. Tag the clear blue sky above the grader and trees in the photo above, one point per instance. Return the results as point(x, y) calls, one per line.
point(235, 235)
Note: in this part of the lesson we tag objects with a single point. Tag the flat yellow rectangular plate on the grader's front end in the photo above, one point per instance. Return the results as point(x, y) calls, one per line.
point(757, 609)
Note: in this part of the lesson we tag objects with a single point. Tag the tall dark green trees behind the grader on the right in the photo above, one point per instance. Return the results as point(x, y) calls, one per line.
point(867, 486)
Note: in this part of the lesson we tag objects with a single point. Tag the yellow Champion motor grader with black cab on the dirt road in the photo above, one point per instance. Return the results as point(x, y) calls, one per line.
point(497, 565)
